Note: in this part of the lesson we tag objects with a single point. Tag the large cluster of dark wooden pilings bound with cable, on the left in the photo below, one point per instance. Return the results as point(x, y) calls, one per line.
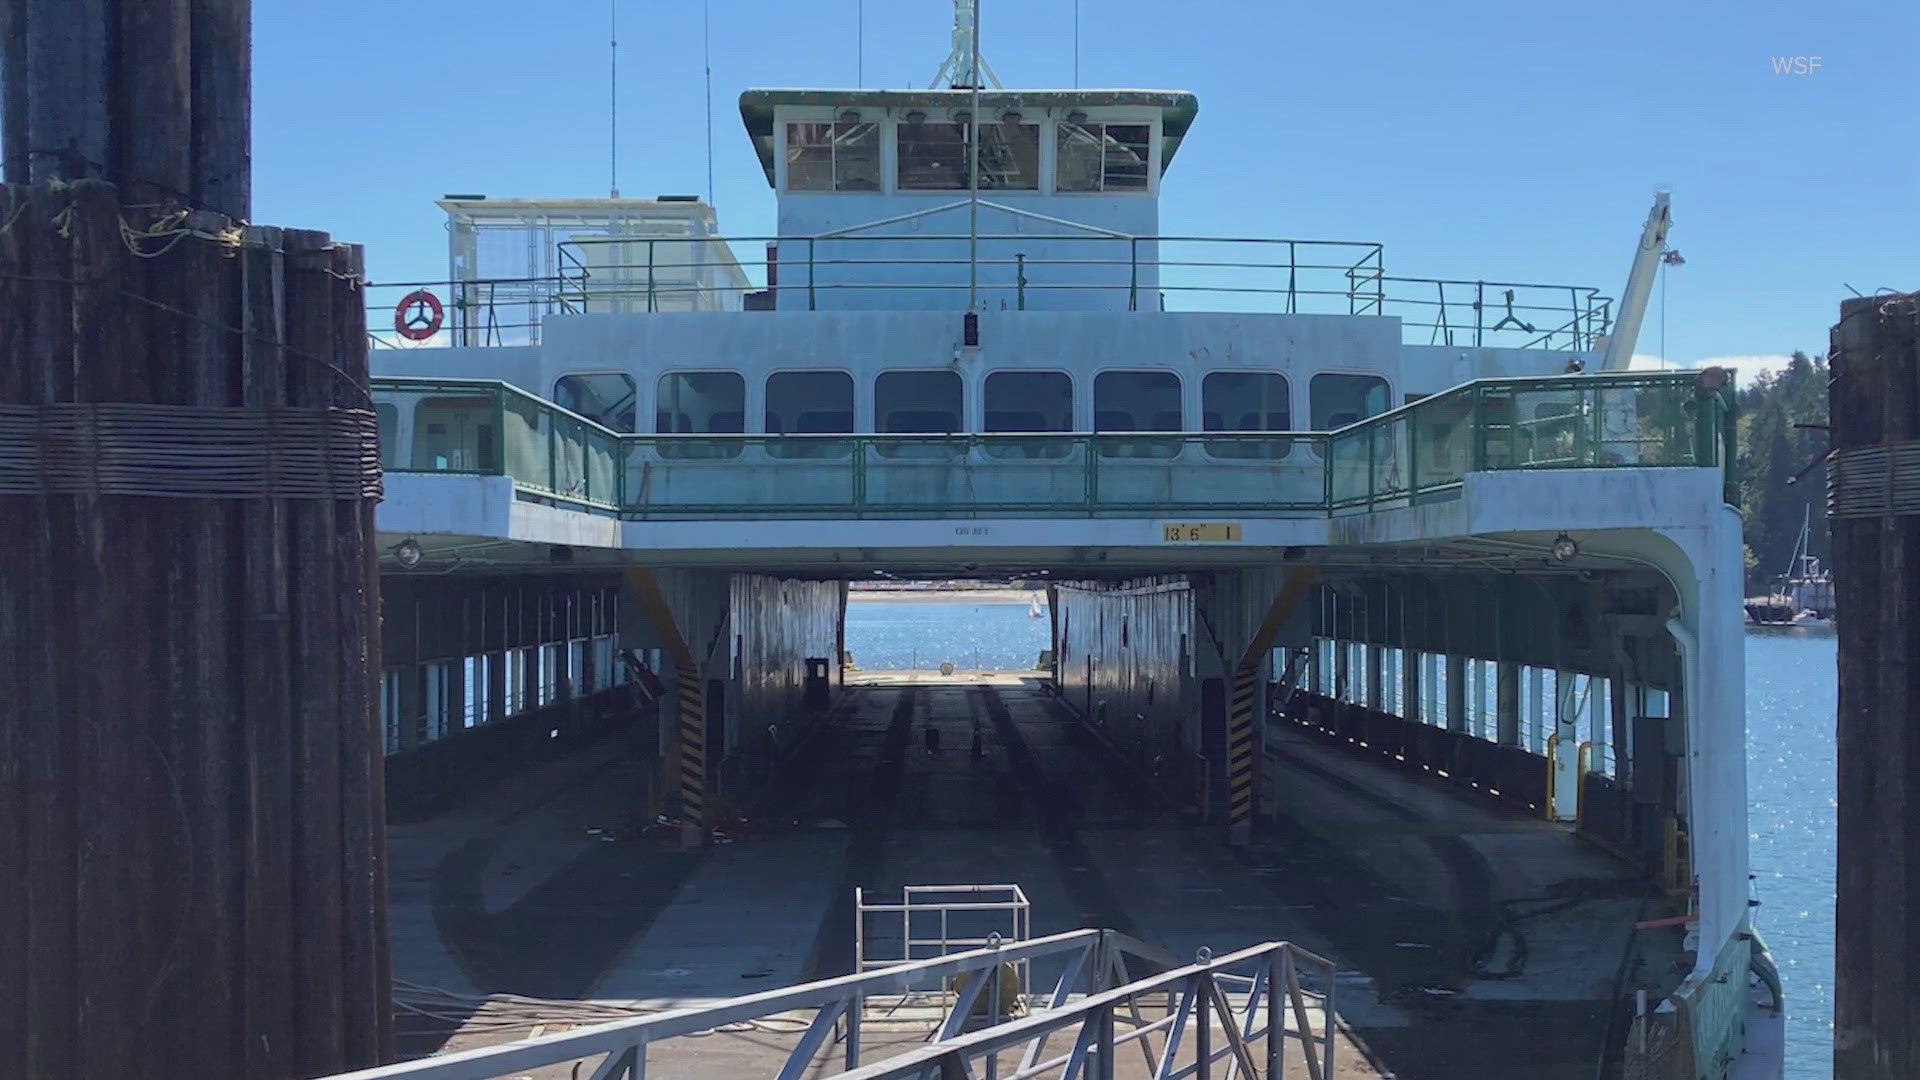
point(193, 868)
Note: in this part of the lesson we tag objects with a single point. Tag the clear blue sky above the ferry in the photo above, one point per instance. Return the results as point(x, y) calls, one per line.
point(1476, 139)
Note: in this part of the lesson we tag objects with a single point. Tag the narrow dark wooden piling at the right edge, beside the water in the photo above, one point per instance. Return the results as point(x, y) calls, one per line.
point(1875, 520)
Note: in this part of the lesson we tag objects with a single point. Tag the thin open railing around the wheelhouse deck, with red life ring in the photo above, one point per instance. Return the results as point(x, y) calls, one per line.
point(1055, 272)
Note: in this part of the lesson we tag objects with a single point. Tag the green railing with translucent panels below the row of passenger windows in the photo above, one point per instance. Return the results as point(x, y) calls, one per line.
point(1410, 454)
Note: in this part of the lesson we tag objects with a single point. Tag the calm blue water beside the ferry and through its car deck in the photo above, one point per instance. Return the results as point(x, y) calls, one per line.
point(1790, 775)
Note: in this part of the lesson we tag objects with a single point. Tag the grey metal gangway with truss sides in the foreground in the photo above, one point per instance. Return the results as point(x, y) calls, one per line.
point(1253, 1014)
